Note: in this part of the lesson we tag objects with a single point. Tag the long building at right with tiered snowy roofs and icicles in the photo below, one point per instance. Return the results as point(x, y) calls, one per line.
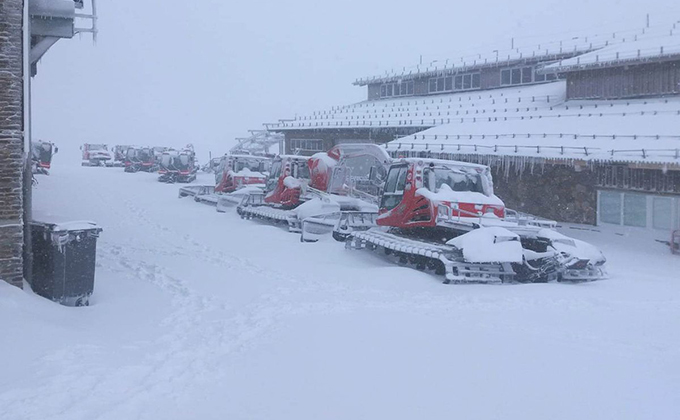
point(583, 131)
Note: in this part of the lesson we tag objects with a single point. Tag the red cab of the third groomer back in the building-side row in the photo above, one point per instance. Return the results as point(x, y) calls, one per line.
point(237, 171)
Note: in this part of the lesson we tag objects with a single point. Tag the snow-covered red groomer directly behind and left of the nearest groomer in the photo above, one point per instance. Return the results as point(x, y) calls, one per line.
point(334, 191)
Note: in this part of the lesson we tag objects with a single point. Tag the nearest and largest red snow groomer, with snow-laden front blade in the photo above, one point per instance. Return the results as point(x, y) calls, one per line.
point(443, 216)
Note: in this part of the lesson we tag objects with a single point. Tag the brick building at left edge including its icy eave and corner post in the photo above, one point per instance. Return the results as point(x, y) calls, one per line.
point(49, 21)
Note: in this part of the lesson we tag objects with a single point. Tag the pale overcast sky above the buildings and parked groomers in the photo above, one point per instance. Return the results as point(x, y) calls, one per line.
point(167, 72)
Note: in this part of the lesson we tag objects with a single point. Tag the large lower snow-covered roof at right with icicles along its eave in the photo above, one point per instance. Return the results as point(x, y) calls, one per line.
point(642, 130)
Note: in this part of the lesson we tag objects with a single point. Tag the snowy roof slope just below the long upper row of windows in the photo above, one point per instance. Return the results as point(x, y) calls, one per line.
point(426, 111)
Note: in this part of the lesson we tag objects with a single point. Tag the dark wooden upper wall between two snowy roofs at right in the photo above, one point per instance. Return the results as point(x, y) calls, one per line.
point(652, 79)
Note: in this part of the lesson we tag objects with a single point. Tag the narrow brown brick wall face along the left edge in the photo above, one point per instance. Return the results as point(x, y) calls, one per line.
point(11, 141)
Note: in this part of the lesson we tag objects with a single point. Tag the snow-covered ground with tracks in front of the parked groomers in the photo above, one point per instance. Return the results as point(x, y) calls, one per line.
point(201, 315)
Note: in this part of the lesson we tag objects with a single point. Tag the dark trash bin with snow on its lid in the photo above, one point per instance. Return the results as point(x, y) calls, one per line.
point(64, 257)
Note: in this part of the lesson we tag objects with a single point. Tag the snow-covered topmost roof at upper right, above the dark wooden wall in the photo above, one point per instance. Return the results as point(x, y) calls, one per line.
point(651, 45)
